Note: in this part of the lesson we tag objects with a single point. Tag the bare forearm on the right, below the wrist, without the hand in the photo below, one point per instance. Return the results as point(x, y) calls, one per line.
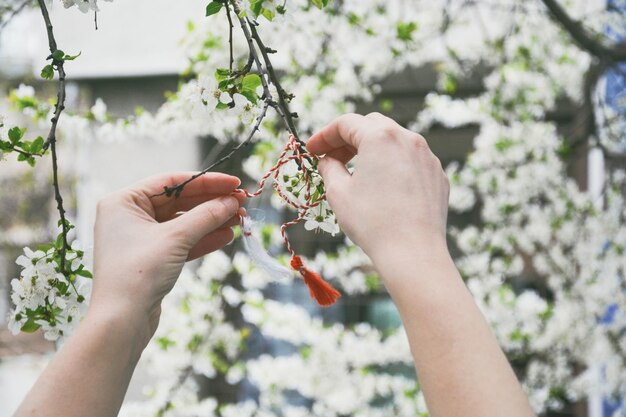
point(460, 366)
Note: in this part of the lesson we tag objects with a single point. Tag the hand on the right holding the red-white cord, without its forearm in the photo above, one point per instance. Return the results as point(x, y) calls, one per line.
point(398, 192)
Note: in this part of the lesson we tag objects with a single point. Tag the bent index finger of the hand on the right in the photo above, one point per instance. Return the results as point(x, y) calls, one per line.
point(344, 130)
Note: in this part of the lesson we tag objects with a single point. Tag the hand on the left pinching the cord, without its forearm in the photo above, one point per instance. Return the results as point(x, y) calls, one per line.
point(142, 241)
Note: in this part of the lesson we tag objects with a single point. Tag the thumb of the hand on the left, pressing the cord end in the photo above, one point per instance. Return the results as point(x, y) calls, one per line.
point(205, 218)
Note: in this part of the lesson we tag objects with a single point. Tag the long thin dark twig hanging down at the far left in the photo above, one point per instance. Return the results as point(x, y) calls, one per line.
point(51, 140)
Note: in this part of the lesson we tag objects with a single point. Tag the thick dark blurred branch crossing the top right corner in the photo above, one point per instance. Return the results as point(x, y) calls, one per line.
point(582, 37)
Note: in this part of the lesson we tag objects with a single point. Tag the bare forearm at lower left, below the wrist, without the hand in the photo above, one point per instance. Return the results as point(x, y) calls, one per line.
point(90, 374)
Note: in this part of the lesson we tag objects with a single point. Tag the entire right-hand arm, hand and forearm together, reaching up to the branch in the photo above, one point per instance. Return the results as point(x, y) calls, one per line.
point(394, 206)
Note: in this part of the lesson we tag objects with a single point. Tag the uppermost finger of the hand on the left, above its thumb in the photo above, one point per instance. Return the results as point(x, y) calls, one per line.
point(209, 183)
